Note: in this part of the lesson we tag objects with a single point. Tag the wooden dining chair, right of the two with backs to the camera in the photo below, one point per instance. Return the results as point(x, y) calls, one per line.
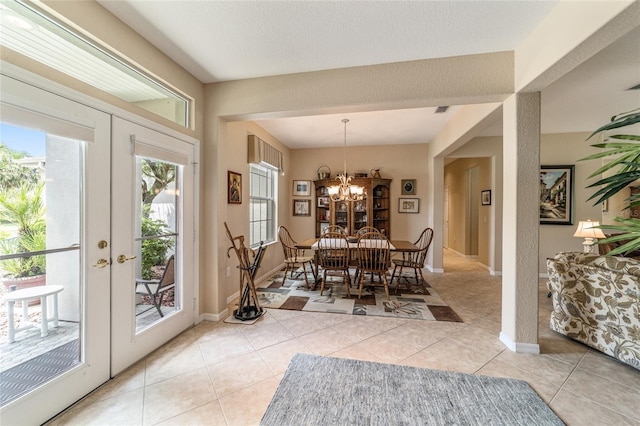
point(374, 256)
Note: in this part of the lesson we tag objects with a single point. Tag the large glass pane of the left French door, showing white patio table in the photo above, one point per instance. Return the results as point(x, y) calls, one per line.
point(41, 209)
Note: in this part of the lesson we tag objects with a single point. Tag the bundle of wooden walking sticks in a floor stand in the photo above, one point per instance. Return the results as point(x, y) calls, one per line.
point(249, 307)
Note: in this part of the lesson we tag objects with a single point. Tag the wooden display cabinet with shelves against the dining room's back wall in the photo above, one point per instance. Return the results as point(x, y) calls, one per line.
point(373, 210)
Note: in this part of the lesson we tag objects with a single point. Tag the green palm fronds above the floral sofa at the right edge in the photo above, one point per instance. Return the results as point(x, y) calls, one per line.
point(621, 152)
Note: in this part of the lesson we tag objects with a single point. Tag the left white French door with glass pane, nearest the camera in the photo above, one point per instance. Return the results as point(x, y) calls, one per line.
point(63, 183)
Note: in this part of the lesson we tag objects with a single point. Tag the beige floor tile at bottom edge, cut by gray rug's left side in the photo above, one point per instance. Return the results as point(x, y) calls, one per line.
point(247, 406)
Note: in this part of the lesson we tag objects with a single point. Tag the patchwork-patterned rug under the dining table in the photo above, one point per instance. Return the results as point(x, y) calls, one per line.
point(411, 301)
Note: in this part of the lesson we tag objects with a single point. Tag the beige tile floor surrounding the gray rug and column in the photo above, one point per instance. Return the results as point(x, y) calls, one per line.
point(226, 374)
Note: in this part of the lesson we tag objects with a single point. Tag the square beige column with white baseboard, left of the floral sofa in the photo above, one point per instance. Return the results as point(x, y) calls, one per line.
point(521, 172)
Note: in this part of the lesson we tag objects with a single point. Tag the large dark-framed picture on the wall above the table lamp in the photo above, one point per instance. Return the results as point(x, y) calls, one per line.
point(556, 195)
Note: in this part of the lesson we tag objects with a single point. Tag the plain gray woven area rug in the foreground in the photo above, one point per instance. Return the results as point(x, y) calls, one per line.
point(317, 390)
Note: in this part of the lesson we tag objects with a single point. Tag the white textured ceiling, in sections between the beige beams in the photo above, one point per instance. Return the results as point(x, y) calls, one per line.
point(231, 40)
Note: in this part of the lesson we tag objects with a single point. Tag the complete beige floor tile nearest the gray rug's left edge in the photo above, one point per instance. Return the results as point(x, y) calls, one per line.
point(237, 373)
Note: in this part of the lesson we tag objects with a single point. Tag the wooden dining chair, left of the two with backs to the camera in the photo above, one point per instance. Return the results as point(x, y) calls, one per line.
point(333, 255)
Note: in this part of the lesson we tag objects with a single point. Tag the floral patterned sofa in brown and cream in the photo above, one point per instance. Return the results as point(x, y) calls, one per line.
point(596, 301)
